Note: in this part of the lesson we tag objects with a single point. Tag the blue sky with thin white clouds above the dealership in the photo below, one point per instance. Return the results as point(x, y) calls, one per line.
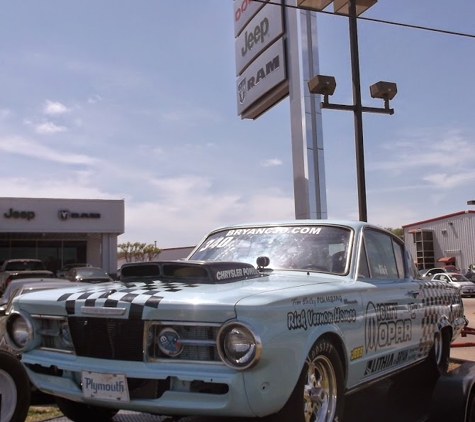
point(115, 99)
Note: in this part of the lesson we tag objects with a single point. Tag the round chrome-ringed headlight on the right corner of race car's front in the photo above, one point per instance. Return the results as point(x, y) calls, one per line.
point(238, 346)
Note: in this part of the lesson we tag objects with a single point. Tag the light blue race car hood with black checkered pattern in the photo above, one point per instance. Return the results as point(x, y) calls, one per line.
point(209, 293)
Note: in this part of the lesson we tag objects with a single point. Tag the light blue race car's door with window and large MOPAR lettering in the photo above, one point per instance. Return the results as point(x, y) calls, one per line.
point(391, 303)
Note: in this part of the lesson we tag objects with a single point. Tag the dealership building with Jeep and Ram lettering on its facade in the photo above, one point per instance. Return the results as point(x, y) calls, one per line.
point(61, 231)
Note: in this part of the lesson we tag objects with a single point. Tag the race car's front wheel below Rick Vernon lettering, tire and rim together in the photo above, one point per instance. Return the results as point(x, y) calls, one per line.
point(319, 393)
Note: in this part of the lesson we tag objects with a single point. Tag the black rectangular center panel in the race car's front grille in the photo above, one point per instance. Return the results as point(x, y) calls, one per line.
point(105, 338)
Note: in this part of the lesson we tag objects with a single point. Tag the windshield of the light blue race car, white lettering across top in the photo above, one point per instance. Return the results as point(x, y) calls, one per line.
point(321, 248)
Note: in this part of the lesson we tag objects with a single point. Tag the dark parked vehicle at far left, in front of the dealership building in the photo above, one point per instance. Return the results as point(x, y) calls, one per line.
point(13, 269)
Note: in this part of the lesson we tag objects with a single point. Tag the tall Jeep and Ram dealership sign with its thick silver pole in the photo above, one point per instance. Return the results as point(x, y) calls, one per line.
point(276, 55)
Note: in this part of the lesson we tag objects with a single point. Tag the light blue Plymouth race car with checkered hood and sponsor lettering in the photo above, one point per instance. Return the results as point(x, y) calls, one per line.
point(276, 320)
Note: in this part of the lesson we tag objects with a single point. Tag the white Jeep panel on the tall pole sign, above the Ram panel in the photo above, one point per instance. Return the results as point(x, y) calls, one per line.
point(259, 34)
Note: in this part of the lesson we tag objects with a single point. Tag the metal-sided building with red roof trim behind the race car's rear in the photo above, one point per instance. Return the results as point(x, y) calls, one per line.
point(445, 240)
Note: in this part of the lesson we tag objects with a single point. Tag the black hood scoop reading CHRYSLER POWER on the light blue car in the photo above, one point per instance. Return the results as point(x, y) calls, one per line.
point(196, 272)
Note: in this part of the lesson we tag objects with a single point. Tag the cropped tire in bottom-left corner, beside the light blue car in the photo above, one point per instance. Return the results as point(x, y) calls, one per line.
point(14, 389)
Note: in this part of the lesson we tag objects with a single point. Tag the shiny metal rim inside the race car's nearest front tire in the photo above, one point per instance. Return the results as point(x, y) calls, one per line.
point(320, 390)
